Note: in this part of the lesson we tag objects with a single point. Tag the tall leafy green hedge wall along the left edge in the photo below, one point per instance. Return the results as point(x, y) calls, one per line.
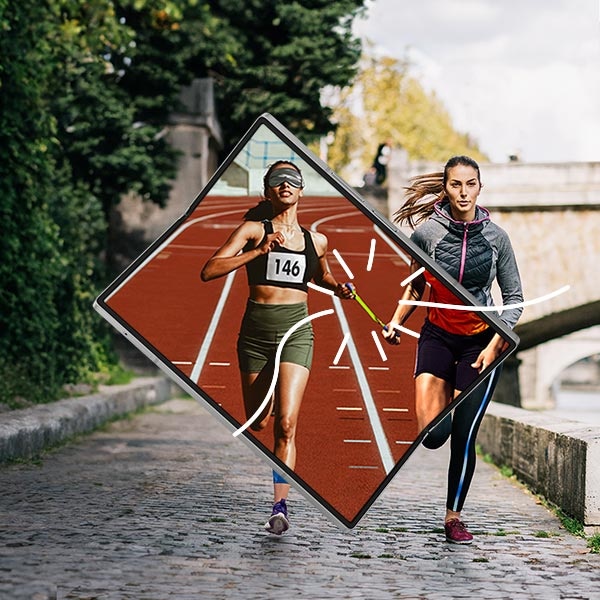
point(52, 222)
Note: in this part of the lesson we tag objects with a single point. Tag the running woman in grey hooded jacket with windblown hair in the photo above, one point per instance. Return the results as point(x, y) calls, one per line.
point(456, 345)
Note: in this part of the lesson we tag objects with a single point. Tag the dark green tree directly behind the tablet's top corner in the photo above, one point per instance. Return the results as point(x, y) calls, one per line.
point(286, 54)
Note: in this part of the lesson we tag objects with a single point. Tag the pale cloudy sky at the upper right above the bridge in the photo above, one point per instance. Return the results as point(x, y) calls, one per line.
point(520, 76)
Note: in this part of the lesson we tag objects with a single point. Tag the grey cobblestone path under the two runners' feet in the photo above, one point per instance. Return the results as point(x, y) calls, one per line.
point(169, 505)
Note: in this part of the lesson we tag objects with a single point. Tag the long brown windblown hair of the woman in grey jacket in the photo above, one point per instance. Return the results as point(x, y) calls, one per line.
point(425, 190)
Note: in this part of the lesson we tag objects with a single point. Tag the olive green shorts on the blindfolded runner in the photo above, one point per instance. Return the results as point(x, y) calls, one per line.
point(264, 326)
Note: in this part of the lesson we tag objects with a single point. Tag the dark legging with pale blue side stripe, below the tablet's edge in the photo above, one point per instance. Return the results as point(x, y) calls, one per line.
point(462, 426)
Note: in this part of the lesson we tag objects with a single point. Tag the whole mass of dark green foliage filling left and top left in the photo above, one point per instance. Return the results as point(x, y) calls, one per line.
point(87, 88)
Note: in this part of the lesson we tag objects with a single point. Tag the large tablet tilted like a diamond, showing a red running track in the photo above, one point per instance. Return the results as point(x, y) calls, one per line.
point(357, 423)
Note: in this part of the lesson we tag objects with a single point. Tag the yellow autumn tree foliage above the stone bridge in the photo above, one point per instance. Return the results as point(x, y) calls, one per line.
point(387, 102)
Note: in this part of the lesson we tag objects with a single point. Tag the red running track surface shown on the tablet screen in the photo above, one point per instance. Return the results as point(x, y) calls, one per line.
point(168, 304)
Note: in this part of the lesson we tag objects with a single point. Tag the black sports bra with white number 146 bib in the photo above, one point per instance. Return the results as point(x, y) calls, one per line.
point(283, 267)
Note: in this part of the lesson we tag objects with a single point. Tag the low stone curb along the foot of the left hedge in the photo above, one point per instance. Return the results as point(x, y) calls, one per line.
point(27, 432)
